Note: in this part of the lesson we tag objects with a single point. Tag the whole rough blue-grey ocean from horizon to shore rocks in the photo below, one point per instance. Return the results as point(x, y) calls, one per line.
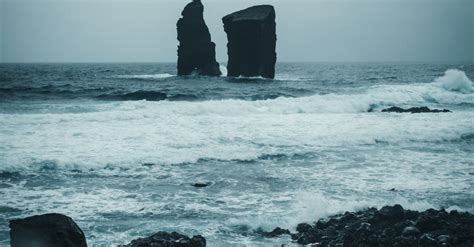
point(118, 147)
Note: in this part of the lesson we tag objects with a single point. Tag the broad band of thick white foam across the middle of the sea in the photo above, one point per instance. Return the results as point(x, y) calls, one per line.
point(170, 132)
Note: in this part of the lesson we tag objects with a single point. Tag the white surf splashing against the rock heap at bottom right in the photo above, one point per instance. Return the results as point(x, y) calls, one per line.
point(311, 206)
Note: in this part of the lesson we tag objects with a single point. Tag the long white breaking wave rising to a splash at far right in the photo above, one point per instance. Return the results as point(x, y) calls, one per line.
point(420, 94)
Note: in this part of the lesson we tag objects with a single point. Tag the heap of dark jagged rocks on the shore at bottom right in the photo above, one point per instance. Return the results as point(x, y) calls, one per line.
point(390, 226)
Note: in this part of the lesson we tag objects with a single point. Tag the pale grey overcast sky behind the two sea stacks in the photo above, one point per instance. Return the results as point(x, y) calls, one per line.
point(307, 30)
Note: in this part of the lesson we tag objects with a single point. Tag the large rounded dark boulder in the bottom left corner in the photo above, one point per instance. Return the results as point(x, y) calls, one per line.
point(48, 230)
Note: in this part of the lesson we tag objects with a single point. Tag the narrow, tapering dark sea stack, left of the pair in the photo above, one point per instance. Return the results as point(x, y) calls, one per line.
point(196, 51)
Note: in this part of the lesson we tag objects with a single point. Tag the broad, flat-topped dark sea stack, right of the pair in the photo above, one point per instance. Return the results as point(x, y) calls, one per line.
point(251, 34)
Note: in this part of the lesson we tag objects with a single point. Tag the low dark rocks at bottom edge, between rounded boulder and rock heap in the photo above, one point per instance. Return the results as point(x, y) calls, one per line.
point(166, 239)
